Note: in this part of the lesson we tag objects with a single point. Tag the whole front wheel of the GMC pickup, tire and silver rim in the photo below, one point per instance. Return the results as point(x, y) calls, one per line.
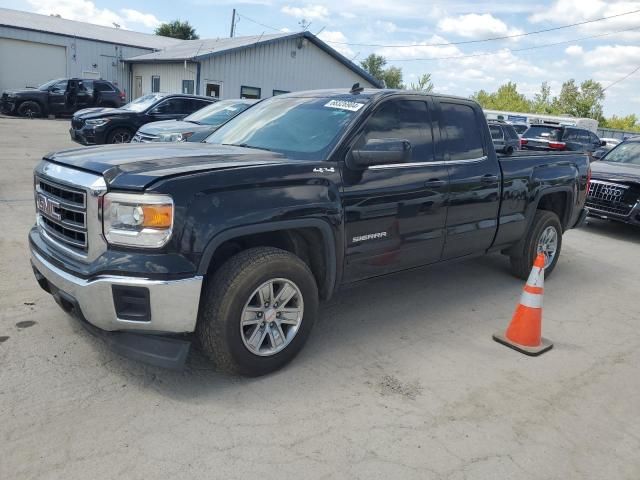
point(257, 311)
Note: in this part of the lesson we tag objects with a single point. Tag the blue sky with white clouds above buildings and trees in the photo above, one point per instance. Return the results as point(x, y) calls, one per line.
point(415, 35)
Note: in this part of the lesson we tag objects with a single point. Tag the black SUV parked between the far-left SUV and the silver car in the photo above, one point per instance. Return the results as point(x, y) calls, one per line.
point(95, 126)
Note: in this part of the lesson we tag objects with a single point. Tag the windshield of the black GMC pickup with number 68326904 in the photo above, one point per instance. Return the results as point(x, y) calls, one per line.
point(302, 128)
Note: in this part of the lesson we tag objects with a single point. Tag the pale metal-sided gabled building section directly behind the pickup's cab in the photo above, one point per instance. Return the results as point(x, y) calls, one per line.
point(248, 67)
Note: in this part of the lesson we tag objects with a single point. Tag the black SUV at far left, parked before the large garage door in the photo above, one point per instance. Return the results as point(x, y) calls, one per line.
point(61, 96)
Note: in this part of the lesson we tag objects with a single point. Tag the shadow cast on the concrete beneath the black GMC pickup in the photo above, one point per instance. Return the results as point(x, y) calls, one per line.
point(366, 322)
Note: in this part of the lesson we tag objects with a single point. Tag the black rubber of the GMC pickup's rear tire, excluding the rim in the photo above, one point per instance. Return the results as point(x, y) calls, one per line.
point(521, 264)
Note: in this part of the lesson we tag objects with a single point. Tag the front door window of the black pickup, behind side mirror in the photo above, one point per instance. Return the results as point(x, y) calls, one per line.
point(402, 120)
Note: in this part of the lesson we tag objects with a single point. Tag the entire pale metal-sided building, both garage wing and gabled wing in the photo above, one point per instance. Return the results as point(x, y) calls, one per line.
point(37, 48)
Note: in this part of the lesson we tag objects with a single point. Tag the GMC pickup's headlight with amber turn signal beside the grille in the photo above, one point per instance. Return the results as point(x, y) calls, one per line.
point(137, 220)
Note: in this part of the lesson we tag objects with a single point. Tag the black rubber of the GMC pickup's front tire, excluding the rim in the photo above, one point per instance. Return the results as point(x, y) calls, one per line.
point(225, 295)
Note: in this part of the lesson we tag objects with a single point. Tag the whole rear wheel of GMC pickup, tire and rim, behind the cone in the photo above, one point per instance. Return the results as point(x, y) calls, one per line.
point(544, 236)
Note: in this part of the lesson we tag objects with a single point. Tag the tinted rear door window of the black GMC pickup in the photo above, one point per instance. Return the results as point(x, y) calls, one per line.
point(462, 139)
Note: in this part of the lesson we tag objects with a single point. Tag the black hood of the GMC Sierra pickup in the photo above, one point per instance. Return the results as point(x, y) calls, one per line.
point(135, 166)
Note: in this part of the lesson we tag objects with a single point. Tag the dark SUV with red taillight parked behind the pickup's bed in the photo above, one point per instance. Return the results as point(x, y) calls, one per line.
point(558, 137)
